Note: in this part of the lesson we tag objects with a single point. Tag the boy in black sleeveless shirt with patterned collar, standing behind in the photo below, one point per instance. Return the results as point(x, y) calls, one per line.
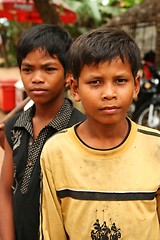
point(42, 59)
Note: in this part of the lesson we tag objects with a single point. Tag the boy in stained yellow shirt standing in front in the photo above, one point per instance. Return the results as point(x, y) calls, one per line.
point(103, 184)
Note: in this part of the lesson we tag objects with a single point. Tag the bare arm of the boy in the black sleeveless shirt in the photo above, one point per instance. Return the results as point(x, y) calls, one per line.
point(6, 209)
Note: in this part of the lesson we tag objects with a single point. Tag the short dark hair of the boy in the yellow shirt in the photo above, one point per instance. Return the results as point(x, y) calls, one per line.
point(101, 45)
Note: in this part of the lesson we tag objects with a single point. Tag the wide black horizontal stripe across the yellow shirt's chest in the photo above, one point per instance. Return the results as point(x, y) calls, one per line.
point(102, 196)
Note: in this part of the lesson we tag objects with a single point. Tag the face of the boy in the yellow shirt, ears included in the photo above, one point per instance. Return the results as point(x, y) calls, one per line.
point(106, 90)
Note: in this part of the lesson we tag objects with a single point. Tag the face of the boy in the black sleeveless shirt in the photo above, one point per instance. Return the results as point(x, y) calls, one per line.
point(43, 77)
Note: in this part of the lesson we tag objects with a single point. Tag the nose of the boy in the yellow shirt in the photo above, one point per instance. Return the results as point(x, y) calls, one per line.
point(108, 92)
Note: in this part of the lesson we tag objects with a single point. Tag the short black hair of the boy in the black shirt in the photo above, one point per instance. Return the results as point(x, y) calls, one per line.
point(48, 37)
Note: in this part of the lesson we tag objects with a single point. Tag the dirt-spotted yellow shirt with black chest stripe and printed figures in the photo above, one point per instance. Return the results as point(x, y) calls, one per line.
point(133, 167)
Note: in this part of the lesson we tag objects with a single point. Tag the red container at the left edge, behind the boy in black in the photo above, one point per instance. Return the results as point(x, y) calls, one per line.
point(7, 95)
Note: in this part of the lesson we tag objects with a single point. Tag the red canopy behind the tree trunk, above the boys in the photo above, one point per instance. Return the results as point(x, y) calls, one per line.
point(21, 11)
